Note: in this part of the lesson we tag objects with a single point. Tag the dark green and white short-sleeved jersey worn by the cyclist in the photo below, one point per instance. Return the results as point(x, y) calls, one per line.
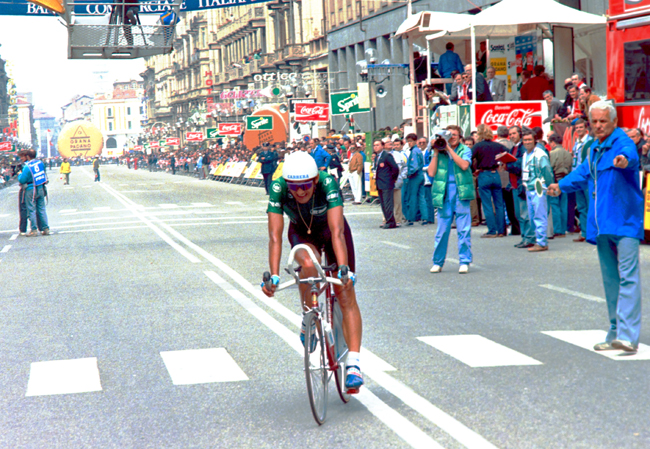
point(326, 196)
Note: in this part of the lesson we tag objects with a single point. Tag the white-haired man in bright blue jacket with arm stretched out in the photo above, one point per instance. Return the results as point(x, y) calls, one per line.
point(615, 222)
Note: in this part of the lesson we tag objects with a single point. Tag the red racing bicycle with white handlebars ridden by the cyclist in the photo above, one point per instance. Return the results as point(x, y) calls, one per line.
point(325, 347)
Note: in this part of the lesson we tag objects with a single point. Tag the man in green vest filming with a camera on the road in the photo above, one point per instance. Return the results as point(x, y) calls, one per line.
point(452, 190)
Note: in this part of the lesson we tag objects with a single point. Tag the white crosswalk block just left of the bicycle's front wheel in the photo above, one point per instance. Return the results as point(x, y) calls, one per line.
point(200, 366)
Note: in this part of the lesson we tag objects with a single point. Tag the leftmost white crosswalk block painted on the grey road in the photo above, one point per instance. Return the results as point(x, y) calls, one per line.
point(63, 377)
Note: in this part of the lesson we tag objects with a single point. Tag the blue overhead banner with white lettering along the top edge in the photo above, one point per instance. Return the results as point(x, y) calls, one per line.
point(104, 7)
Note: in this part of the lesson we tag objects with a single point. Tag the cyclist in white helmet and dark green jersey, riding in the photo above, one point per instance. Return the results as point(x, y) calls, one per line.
point(313, 203)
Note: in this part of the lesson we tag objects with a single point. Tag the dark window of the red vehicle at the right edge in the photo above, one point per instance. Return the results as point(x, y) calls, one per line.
point(637, 75)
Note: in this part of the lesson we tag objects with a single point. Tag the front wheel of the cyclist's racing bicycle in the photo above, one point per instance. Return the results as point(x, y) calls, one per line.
point(316, 373)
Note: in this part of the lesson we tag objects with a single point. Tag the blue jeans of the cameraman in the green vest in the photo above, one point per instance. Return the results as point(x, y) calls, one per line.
point(453, 206)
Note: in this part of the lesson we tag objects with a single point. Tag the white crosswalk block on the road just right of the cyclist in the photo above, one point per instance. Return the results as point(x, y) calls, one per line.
point(477, 351)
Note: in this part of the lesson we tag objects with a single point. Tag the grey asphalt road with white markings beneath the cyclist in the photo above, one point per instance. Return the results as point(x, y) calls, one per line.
point(139, 324)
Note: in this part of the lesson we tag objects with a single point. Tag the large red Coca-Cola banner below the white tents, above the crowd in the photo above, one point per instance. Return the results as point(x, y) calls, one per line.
point(515, 113)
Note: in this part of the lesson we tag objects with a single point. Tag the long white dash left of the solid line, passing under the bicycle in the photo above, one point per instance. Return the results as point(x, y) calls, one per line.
point(398, 423)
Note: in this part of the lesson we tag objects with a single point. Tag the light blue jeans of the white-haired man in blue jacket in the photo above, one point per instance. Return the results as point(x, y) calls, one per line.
point(619, 264)
